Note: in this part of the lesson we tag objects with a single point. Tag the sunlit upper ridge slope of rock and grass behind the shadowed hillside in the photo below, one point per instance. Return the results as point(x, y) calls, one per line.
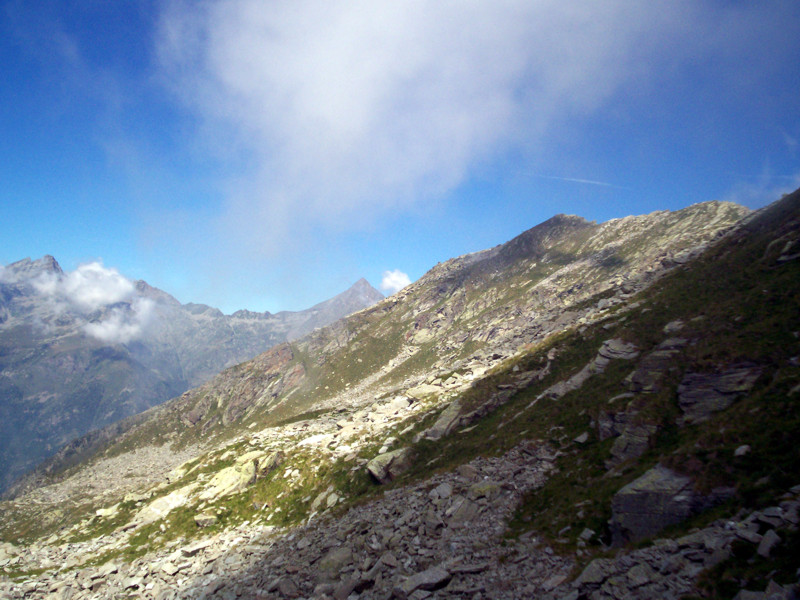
point(455, 323)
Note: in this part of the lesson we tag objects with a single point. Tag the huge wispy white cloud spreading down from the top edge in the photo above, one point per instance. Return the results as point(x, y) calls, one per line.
point(346, 110)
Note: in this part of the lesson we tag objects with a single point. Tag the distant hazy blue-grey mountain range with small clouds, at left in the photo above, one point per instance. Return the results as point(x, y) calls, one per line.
point(81, 350)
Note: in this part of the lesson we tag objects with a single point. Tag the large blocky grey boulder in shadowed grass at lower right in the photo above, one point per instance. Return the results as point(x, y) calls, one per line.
point(655, 500)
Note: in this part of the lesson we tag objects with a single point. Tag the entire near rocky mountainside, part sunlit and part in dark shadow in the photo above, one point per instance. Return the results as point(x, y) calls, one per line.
point(586, 411)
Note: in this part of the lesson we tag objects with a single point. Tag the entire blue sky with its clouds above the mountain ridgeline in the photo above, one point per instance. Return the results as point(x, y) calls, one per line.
point(266, 155)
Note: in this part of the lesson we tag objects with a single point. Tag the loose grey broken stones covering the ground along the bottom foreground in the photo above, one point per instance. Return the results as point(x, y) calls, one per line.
point(442, 538)
